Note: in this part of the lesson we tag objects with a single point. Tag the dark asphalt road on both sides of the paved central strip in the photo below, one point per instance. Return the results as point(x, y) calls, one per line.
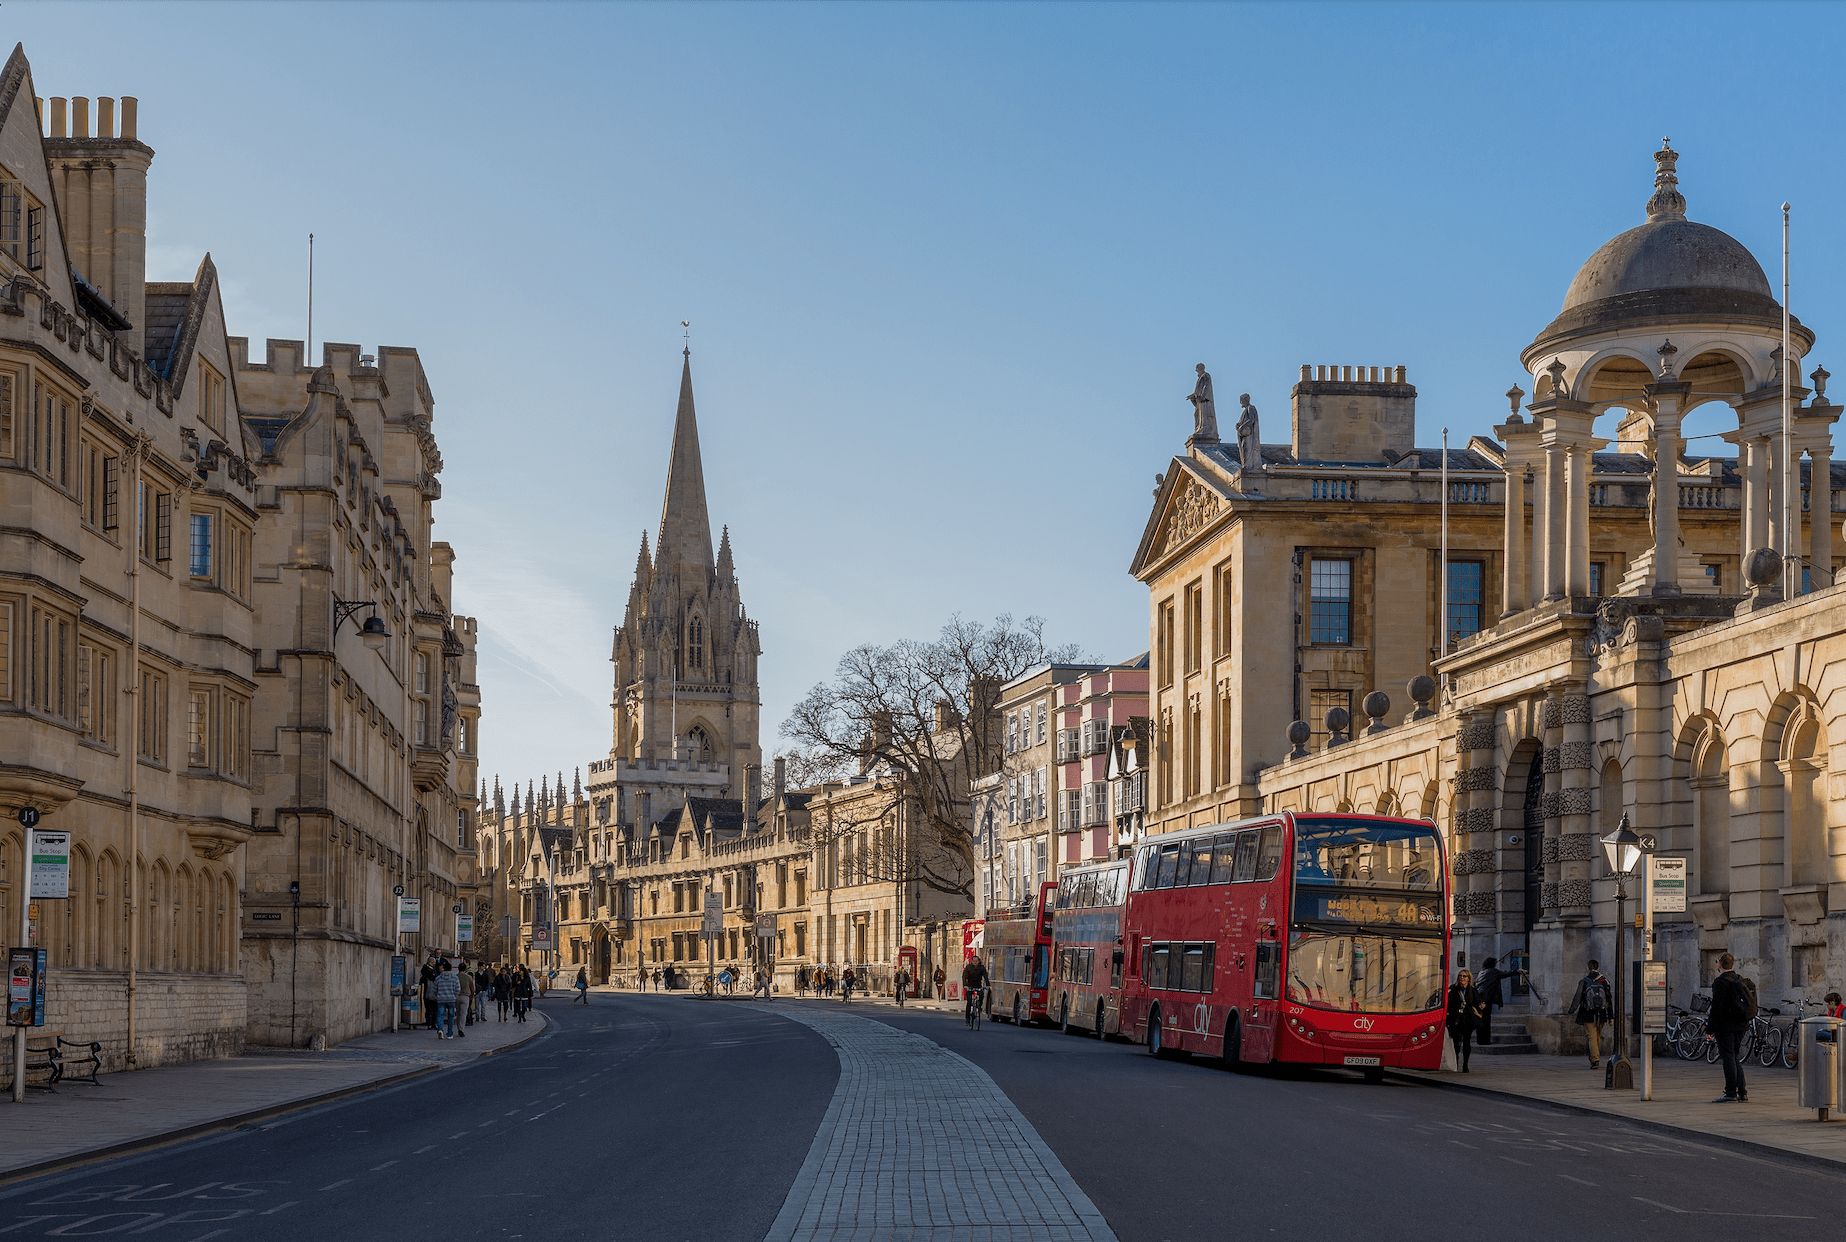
point(684, 1121)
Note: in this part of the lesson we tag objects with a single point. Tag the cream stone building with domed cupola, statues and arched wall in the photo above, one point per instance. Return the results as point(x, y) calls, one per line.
point(1690, 686)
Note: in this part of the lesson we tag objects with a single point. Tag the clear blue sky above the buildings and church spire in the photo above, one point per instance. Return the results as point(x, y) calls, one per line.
point(948, 267)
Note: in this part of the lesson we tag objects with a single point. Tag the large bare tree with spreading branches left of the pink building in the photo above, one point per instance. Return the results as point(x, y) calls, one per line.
point(920, 719)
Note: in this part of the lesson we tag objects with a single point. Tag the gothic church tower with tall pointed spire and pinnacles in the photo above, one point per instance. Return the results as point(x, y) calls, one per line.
point(686, 654)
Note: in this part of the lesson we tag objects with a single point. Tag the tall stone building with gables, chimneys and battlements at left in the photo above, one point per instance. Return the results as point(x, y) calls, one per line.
point(173, 538)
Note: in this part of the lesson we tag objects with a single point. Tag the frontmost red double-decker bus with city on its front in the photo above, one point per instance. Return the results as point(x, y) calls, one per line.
point(1291, 938)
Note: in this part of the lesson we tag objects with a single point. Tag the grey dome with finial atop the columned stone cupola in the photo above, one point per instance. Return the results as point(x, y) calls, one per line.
point(1664, 272)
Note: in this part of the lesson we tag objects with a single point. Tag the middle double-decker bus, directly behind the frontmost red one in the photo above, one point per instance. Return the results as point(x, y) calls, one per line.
point(1086, 938)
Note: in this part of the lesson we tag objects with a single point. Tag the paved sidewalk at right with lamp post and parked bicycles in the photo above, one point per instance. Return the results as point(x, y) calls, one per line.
point(1683, 1101)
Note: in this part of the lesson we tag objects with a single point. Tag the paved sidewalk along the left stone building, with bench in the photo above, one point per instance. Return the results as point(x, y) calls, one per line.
point(171, 1103)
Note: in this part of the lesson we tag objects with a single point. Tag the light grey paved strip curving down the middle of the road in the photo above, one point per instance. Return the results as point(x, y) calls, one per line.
point(922, 1147)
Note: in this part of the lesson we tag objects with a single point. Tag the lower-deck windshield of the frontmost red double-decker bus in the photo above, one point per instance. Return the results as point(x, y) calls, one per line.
point(1365, 973)
